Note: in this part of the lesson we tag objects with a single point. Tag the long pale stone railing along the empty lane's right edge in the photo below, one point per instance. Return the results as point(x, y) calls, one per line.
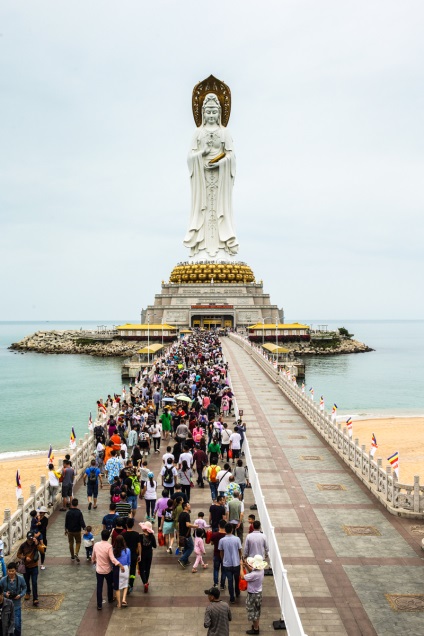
point(405, 500)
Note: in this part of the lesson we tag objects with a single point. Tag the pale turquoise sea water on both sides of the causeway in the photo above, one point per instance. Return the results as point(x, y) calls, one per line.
point(44, 396)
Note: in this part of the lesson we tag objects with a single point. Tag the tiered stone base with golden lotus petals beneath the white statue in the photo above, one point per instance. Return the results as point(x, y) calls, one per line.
point(212, 295)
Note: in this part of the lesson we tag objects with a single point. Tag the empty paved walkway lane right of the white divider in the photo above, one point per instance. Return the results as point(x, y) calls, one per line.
point(353, 568)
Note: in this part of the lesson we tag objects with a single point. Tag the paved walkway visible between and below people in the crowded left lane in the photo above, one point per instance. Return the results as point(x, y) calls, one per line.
point(174, 605)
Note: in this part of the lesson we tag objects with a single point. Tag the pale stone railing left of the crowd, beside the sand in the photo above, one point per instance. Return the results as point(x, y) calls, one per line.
point(15, 525)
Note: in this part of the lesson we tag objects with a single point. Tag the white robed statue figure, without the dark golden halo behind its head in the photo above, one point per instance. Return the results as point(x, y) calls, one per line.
point(212, 167)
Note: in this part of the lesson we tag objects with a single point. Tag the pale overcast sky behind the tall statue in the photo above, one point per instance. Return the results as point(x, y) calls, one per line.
point(96, 122)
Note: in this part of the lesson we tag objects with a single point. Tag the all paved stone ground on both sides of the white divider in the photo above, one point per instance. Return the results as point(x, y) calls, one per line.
point(339, 581)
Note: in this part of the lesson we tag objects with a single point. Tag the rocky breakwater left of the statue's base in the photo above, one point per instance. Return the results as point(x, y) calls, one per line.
point(75, 342)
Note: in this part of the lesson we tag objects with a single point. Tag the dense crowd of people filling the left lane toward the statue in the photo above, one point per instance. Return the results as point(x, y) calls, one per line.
point(181, 411)
